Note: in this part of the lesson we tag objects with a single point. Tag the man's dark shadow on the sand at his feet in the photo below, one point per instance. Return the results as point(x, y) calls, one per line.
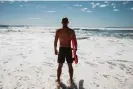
point(81, 82)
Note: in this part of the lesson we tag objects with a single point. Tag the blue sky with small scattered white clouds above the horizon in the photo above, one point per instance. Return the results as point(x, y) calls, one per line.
point(80, 13)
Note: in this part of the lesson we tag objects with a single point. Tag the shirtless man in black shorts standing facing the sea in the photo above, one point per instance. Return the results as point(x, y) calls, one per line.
point(65, 35)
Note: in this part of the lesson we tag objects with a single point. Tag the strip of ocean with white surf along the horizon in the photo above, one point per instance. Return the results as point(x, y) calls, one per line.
point(82, 32)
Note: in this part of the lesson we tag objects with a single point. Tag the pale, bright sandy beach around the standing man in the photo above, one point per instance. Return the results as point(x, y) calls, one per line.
point(27, 61)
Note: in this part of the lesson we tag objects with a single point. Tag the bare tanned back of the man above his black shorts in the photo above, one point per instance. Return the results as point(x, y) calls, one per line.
point(65, 36)
